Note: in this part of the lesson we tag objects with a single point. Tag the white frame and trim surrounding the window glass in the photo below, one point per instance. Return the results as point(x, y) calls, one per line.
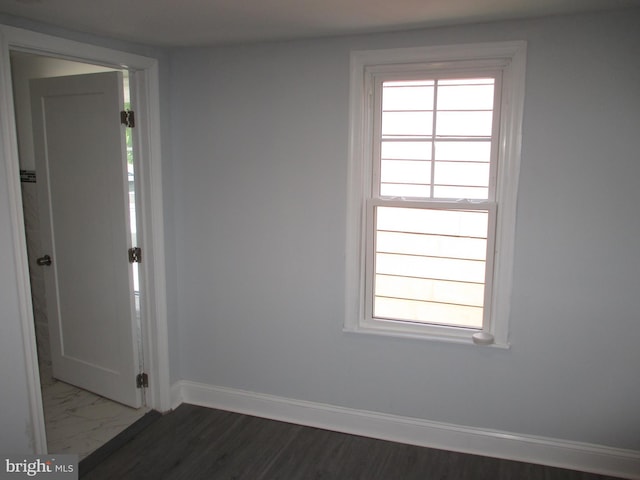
point(507, 58)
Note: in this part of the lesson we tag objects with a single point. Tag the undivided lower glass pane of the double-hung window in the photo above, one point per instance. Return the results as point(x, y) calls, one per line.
point(430, 265)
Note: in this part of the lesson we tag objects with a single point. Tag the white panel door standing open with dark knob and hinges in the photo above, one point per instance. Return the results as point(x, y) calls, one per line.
point(80, 154)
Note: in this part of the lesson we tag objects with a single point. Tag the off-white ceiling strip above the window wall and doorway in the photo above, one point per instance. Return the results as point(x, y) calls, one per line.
point(217, 22)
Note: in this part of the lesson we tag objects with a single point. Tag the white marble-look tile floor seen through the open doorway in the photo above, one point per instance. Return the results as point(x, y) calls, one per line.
point(78, 421)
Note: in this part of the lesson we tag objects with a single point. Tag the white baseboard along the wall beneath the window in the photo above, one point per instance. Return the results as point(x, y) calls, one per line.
point(513, 446)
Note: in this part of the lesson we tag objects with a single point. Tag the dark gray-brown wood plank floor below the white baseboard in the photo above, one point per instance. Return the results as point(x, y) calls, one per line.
point(194, 443)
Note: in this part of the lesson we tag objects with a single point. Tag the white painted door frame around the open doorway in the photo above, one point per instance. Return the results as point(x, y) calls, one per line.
point(146, 103)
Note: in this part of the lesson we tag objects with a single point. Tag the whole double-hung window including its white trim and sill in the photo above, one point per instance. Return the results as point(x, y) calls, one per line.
point(433, 176)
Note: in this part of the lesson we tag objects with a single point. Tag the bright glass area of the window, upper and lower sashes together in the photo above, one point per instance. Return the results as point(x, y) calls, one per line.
point(436, 143)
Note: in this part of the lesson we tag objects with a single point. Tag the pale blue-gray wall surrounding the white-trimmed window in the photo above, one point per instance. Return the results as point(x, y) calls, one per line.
point(260, 144)
